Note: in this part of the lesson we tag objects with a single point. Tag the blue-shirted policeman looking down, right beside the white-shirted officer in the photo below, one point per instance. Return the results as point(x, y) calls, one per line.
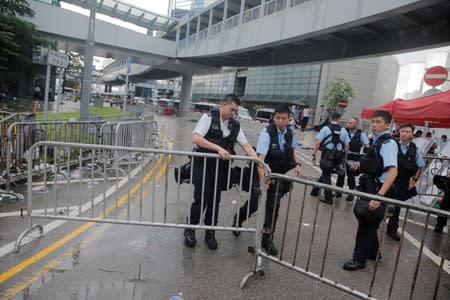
point(276, 144)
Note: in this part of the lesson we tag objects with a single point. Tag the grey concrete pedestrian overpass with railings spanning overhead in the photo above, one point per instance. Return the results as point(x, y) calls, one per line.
point(253, 33)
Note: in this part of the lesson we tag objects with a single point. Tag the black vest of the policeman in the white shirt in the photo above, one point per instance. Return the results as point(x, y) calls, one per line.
point(215, 134)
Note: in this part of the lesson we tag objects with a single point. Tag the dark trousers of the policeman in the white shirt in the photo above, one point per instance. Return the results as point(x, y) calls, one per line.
point(208, 192)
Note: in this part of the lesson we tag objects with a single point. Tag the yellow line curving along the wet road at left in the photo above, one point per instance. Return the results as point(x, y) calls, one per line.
point(31, 260)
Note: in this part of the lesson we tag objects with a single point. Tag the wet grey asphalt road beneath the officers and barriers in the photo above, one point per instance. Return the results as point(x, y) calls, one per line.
point(134, 262)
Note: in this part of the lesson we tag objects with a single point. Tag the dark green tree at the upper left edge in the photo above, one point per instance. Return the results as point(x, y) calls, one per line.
point(18, 38)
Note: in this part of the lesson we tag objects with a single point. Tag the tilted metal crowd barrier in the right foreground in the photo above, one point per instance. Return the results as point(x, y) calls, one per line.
point(311, 245)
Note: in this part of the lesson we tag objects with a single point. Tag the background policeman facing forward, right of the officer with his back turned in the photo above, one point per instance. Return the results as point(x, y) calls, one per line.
point(358, 139)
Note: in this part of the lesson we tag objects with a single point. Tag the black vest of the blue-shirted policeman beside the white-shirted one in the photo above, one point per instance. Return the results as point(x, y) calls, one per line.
point(280, 161)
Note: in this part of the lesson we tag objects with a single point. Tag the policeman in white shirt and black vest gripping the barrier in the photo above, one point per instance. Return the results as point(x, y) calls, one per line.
point(216, 132)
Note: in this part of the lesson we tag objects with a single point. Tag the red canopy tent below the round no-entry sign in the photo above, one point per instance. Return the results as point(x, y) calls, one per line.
point(434, 109)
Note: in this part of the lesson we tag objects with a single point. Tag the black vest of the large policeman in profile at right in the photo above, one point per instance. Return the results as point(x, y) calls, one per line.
point(372, 162)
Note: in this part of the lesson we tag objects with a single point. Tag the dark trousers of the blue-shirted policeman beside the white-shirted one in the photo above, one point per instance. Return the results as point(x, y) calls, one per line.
point(272, 204)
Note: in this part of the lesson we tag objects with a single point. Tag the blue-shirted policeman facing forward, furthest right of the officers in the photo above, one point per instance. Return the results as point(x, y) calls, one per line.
point(410, 163)
